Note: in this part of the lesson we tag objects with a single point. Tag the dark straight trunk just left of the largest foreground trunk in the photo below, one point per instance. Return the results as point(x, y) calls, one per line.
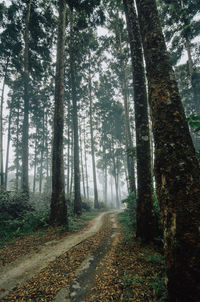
point(145, 218)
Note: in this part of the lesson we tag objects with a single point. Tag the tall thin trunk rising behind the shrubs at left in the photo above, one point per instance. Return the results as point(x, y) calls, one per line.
point(25, 129)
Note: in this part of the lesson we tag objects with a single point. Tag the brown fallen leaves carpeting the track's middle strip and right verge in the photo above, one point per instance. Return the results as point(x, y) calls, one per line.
point(125, 272)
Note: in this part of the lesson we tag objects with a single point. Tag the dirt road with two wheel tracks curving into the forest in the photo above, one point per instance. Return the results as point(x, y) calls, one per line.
point(16, 275)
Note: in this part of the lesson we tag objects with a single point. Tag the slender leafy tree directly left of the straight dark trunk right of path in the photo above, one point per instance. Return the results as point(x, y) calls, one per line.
point(118, 47)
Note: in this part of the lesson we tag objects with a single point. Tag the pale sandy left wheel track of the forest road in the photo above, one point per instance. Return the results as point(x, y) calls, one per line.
point(18, 272)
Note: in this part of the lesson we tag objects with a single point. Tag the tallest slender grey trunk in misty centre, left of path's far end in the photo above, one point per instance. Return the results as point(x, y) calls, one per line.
point(96, 202)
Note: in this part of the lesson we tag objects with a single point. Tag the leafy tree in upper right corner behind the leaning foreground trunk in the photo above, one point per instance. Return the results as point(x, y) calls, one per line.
point(181, 28)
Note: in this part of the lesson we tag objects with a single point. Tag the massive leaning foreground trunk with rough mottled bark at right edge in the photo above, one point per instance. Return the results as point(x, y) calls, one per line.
point(177, 171)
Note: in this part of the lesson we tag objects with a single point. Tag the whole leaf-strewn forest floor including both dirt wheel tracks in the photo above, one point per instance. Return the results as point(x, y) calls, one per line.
point(98, 263)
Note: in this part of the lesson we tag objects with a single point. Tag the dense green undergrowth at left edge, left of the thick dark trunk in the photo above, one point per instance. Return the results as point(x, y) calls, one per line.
point(18, 216)
